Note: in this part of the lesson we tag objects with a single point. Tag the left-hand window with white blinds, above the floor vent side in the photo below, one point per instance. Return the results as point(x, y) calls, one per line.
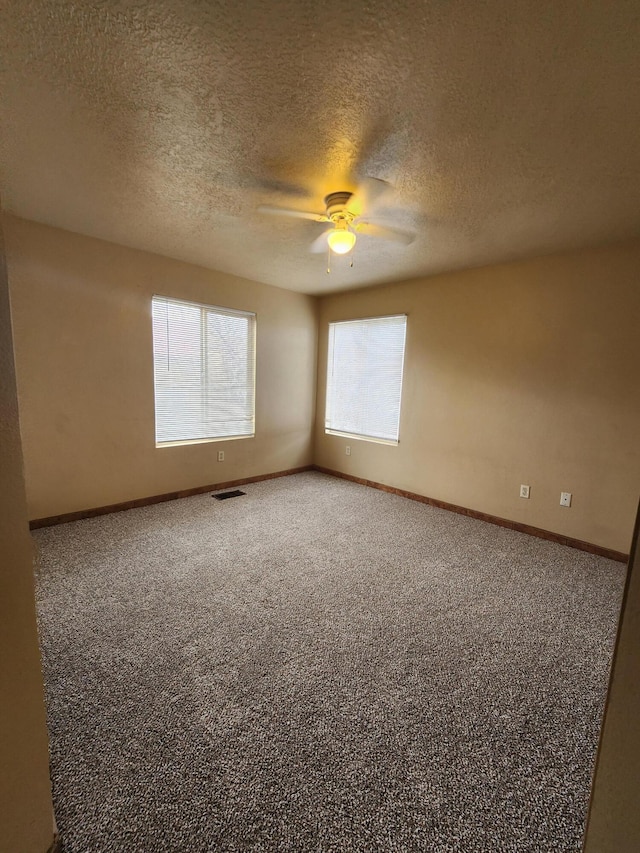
point(204, 371)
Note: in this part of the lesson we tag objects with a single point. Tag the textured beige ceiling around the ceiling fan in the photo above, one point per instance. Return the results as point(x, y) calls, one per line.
point(508, 129)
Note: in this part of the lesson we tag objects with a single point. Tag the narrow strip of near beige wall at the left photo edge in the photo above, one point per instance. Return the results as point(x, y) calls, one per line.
point(26, 816)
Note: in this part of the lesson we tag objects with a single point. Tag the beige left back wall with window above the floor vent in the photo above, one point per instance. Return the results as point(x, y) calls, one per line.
point(81, 313)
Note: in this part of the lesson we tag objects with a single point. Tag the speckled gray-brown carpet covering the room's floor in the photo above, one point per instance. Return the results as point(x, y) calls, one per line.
point(319, 666)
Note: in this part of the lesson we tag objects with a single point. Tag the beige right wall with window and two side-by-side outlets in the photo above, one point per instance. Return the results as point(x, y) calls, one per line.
point(518, 373)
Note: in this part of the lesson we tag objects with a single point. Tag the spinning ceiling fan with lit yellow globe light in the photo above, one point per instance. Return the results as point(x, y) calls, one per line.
point(346, 213)
